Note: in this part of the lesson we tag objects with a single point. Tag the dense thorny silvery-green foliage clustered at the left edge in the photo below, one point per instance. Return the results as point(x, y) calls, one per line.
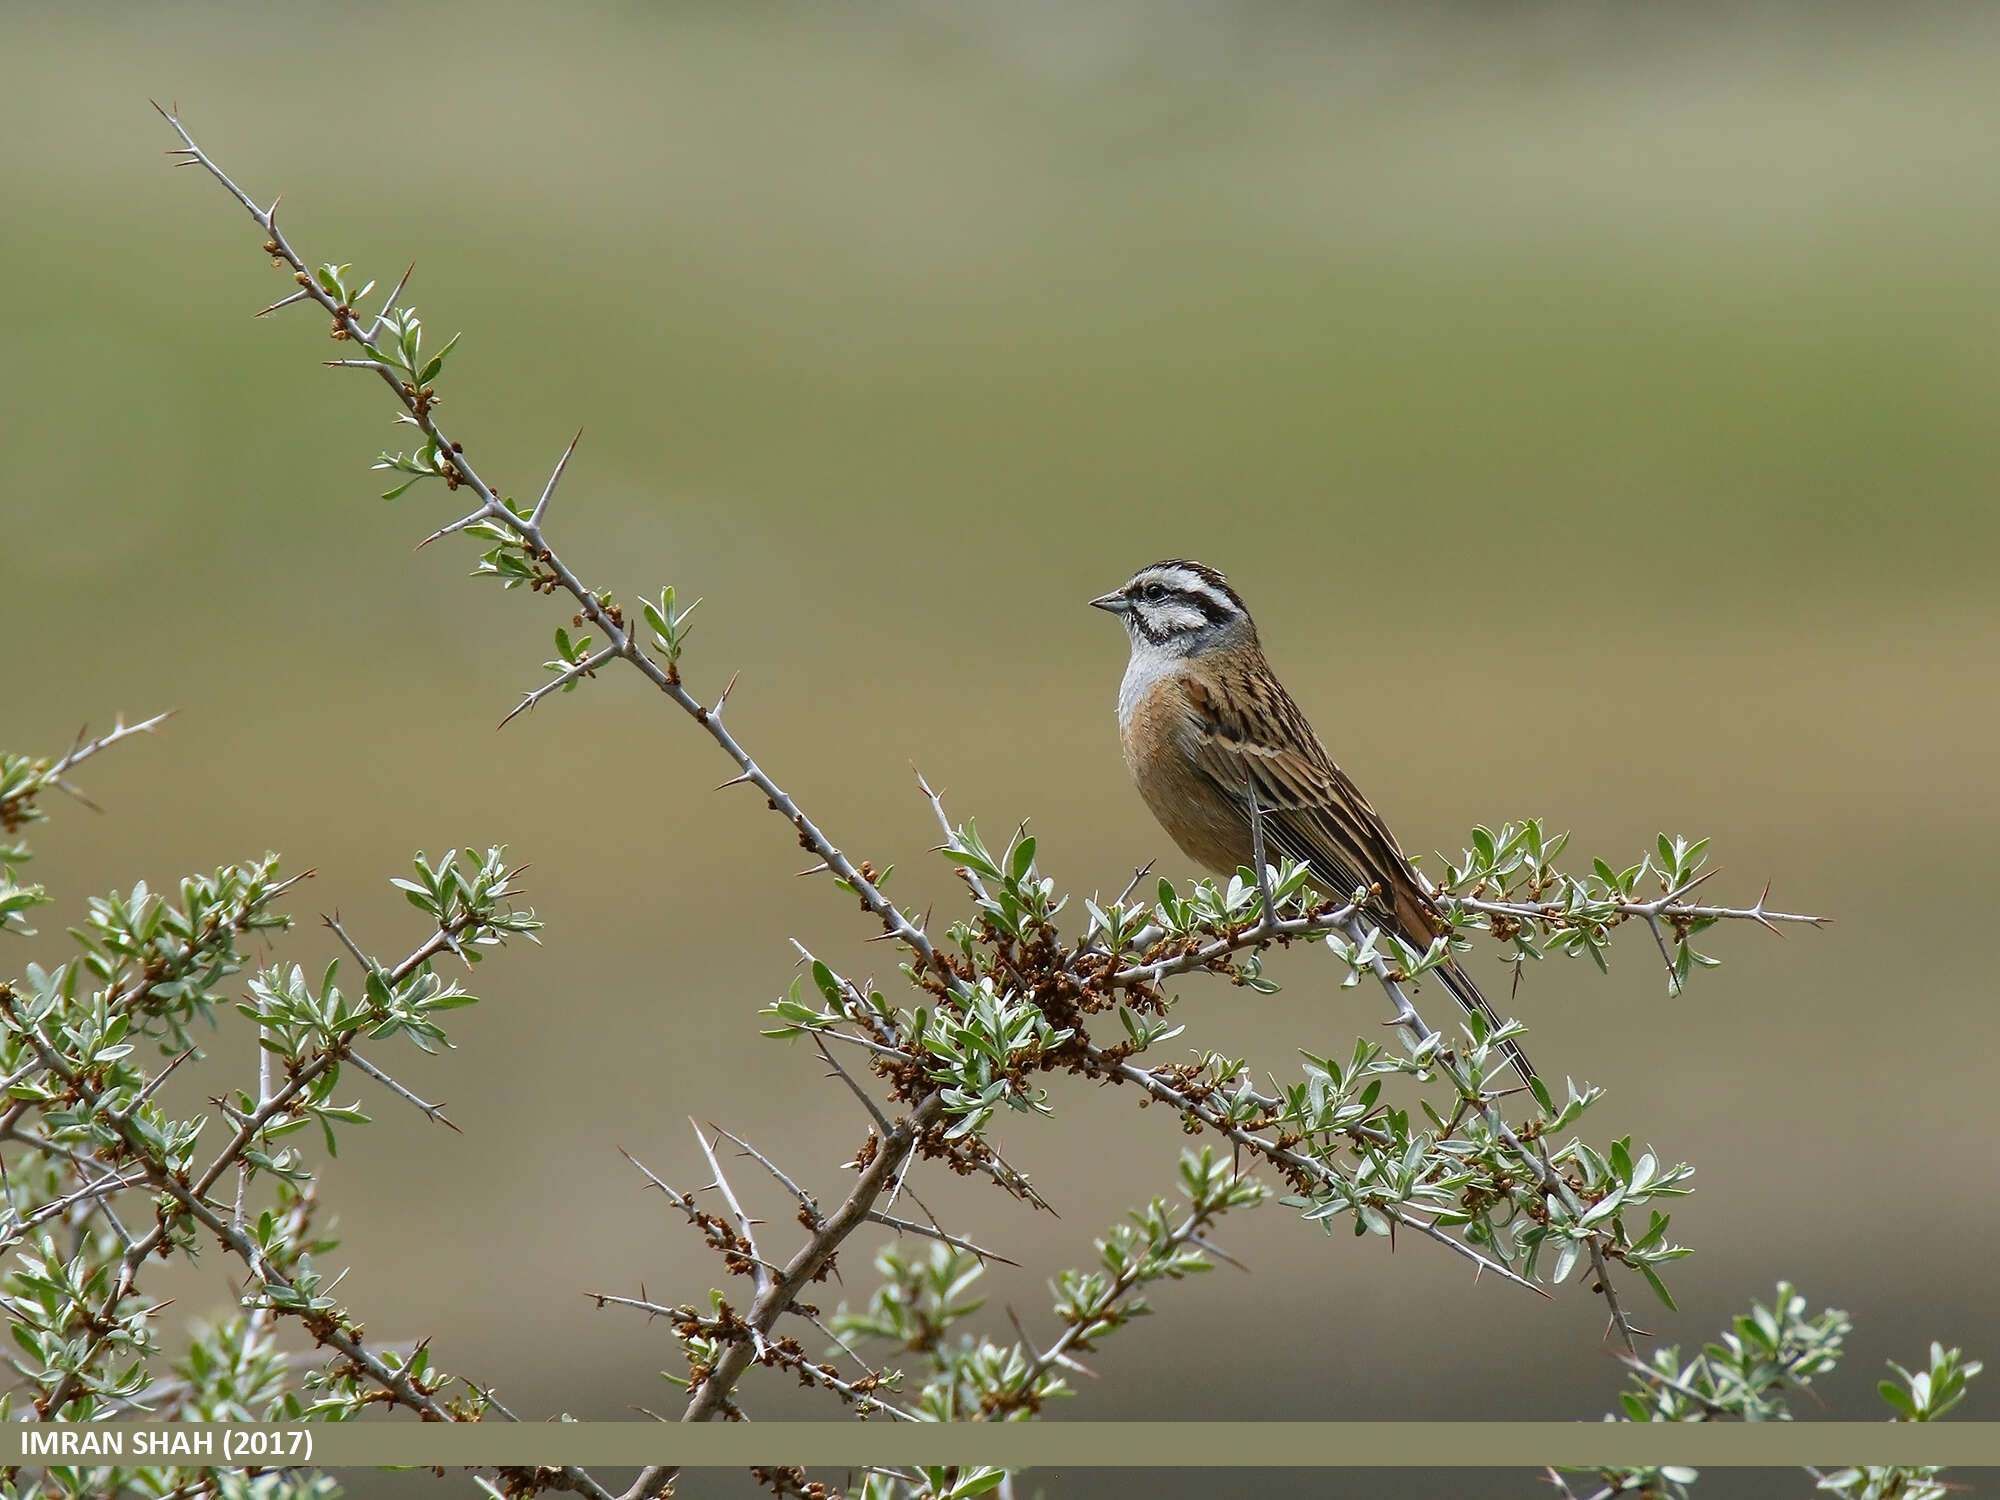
point(103, 1181)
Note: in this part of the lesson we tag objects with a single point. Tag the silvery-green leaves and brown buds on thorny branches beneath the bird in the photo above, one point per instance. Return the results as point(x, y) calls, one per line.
point(1441, 1157)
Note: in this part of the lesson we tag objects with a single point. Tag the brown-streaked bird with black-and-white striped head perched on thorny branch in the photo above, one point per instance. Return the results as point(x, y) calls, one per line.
point(1207, 727)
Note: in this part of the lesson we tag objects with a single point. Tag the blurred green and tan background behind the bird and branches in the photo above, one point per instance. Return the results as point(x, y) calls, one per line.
point(1591, 401)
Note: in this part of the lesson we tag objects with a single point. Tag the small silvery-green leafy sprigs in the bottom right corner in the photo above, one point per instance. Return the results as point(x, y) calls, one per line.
point(1749, 1371)
